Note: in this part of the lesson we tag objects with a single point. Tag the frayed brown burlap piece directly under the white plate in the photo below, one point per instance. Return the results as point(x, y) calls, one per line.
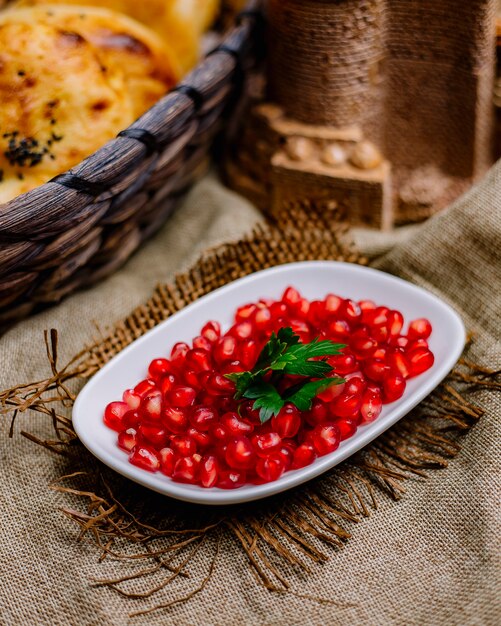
point(281, 538)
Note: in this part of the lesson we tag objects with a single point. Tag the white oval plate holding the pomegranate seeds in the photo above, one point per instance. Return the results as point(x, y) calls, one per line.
point(314, 279)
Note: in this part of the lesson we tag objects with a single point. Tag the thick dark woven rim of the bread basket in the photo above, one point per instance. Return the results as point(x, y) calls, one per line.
point(26, 217)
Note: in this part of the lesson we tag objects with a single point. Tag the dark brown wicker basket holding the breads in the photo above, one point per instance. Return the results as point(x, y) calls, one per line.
point(84, 224)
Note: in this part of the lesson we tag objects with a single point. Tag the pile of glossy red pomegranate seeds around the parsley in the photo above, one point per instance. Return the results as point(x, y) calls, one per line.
point(184, 422)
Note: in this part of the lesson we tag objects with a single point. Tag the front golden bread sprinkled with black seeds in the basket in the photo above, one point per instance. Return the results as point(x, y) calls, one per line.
point(47, 121)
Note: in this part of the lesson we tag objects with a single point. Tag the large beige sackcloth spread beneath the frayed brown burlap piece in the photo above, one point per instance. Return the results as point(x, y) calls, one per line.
point(430, 559)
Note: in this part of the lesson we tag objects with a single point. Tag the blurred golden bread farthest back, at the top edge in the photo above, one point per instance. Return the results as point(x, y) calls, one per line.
point(179, 22)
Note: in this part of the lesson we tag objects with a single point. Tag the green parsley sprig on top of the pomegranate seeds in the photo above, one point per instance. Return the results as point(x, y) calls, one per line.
point(282, 356)
